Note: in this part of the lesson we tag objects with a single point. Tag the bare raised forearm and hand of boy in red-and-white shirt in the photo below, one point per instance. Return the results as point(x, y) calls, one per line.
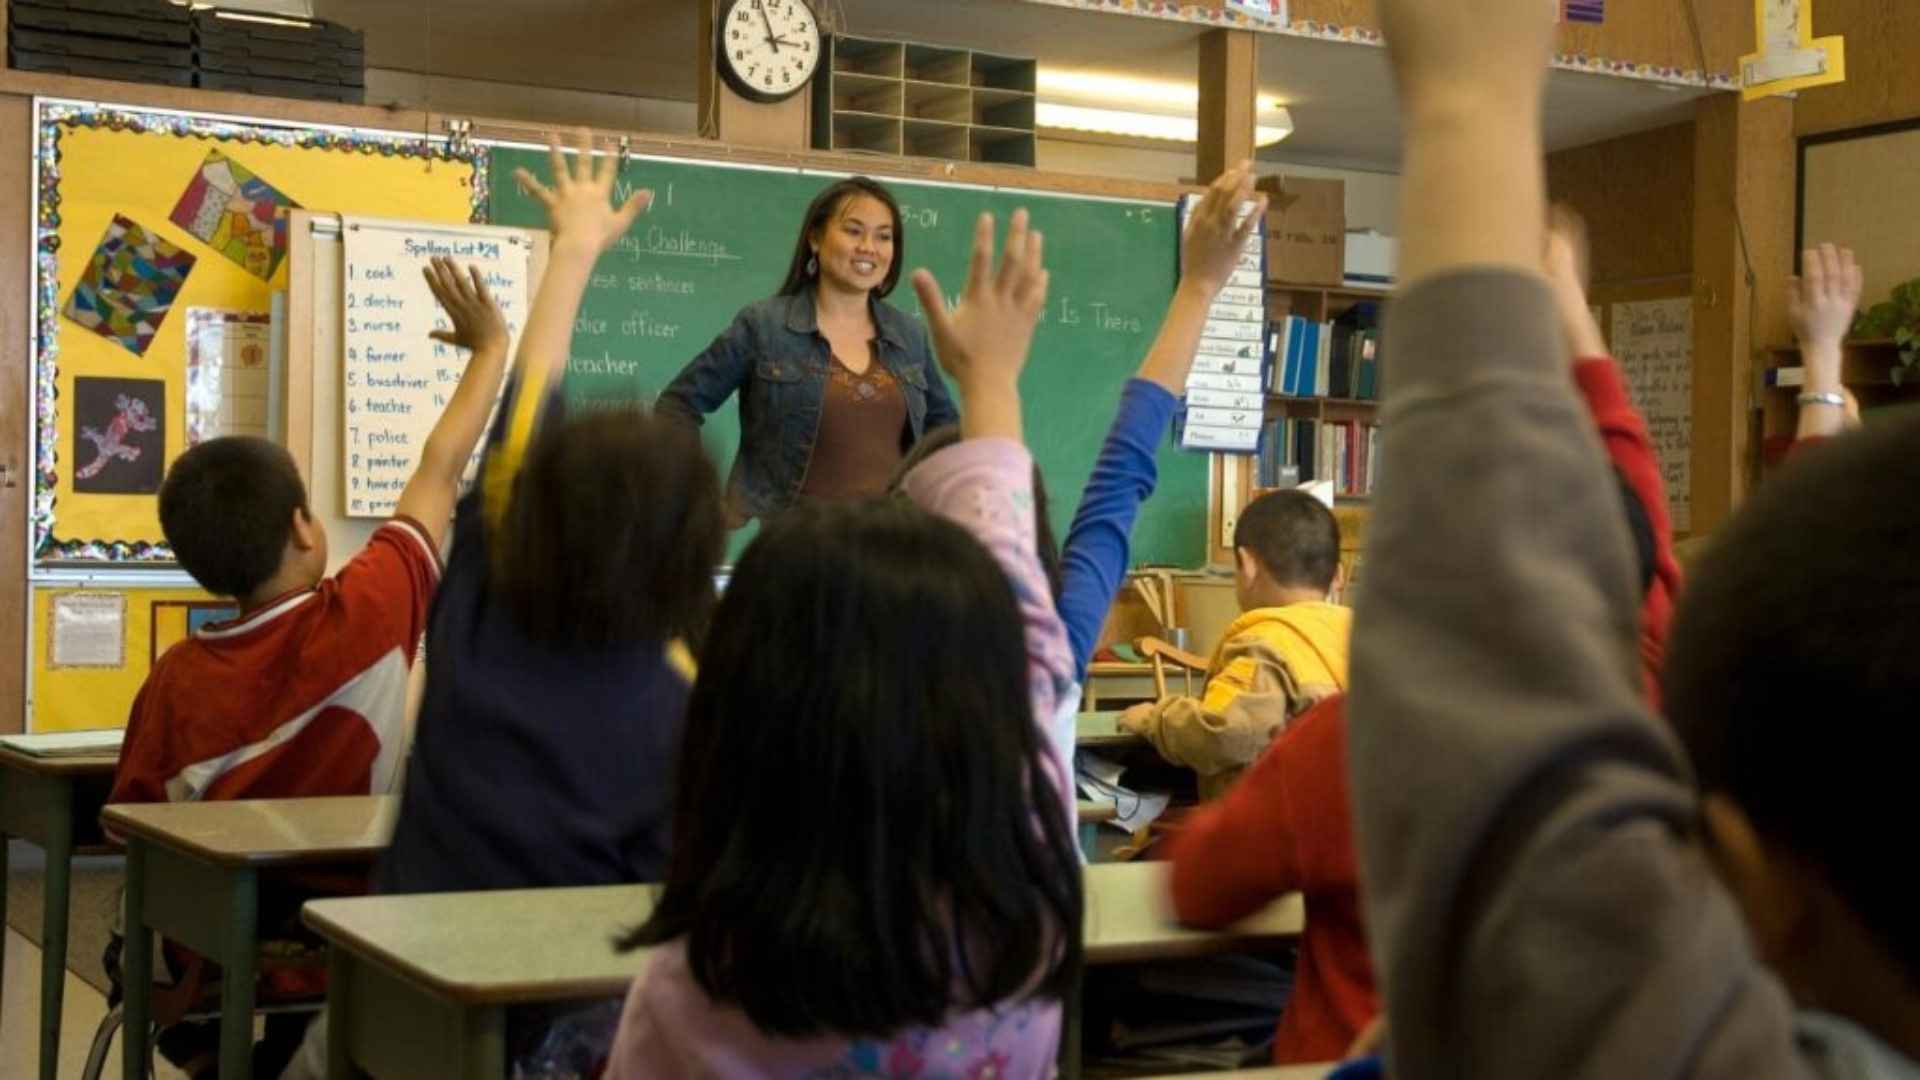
point(479, 328)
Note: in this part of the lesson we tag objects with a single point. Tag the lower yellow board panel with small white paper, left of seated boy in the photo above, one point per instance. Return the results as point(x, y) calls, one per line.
point(82, 697)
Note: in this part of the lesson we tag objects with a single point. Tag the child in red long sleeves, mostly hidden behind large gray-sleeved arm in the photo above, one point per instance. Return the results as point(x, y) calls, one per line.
point(1287, 823)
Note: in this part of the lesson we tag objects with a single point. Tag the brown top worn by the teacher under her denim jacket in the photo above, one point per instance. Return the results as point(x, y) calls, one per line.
point(863, 420)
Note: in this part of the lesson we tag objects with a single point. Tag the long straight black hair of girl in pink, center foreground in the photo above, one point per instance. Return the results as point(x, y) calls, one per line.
point(865, 831)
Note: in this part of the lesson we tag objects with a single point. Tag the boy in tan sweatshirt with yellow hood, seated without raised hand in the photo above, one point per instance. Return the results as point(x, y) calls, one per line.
point(1285, 652)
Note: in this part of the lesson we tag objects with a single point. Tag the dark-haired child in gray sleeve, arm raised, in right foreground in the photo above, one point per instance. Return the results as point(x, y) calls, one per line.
point(1548, 889)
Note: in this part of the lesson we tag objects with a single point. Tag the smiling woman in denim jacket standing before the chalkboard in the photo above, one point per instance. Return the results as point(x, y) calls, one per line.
point(834, 383)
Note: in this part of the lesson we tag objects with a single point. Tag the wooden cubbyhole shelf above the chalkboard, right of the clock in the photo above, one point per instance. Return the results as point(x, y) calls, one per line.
point(923, 101)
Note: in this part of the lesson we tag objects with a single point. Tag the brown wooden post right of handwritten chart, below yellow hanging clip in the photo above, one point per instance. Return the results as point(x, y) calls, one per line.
point(1744, 170)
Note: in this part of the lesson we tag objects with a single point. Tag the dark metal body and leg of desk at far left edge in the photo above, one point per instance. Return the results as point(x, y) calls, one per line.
point(53, 802)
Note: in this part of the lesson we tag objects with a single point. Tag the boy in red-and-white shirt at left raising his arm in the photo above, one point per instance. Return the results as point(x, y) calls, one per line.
point(304, 695)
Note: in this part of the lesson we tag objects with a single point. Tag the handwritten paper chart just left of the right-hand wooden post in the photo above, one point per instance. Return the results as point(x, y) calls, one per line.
point(1654, 343)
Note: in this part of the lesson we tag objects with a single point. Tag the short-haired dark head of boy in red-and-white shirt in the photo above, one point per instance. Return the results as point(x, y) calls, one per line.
point(228, 510)
